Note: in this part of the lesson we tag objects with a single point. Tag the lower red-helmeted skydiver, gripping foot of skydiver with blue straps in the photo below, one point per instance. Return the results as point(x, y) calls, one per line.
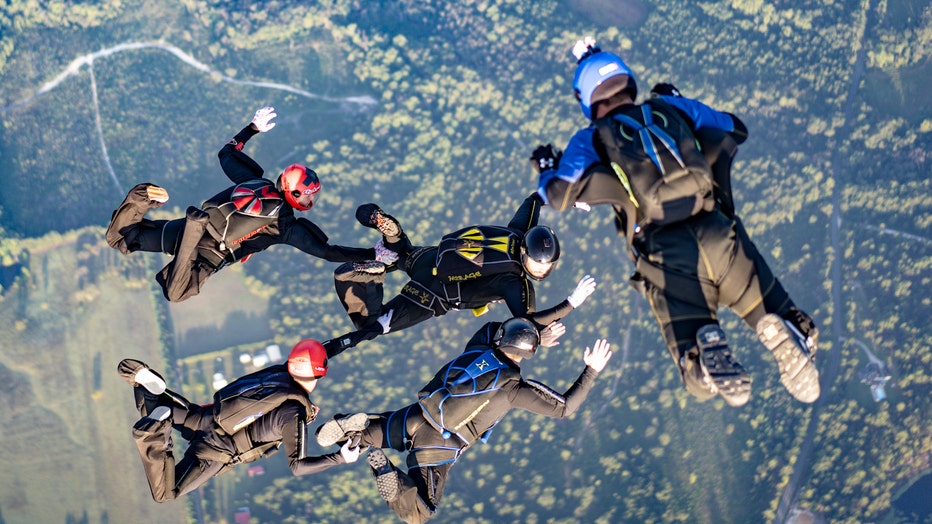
point(254, 428)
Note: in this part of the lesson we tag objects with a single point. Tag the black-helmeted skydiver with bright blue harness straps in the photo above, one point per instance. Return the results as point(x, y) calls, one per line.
point(458, 407)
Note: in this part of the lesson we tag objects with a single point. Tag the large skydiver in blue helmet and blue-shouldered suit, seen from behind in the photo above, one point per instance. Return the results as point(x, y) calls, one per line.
point(689, 249)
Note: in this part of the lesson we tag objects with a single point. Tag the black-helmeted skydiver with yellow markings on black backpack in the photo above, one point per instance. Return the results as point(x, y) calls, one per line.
point(469, 269)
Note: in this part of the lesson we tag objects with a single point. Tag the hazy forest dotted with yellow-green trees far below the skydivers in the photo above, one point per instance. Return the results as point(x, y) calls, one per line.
point(431, 109)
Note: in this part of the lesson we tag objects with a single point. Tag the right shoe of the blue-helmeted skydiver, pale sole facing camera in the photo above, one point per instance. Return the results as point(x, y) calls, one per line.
point(790, 348)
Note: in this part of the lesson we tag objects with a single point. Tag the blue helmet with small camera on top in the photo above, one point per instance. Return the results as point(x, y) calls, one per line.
point(595, 67)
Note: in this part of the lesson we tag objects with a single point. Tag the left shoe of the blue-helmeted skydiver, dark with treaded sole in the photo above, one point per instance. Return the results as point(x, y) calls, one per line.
point(723, 373)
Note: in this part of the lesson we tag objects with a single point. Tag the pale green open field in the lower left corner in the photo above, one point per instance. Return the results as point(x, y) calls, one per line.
point(65, 440)
